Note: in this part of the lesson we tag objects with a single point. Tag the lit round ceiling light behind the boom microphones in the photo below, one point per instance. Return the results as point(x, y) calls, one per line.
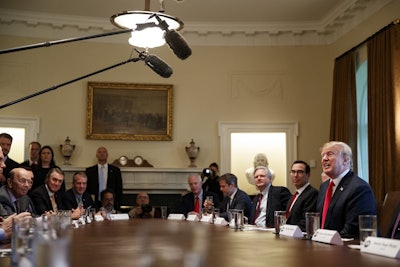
point(148, 37)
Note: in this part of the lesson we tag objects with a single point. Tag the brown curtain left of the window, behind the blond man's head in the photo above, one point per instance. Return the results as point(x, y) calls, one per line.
point(344, 103)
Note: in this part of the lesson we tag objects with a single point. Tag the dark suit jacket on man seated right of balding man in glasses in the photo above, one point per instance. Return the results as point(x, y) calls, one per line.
point(42, 202)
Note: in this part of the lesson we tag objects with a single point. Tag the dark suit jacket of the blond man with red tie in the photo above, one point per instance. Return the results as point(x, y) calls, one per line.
point(353, 196)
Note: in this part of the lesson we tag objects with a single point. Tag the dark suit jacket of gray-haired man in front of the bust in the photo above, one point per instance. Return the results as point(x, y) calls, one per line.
point(278, 197)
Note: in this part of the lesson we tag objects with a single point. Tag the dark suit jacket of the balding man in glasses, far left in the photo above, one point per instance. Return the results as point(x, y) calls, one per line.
point(9, 208)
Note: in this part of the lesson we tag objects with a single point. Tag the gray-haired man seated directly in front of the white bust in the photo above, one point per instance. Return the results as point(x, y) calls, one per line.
point(270, 199)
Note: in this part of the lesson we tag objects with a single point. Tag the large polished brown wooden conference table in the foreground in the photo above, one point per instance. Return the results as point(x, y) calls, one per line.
point(157, 242)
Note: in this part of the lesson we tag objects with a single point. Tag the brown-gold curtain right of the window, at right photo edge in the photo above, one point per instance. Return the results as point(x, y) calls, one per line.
point(384, 110)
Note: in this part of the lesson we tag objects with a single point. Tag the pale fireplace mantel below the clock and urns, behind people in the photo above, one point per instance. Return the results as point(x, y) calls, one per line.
point(151, 180)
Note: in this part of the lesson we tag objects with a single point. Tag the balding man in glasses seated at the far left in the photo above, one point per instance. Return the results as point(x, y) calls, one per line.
point(13, 195)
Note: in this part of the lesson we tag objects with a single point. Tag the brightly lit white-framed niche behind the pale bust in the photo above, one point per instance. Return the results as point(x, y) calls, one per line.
point(240, 142)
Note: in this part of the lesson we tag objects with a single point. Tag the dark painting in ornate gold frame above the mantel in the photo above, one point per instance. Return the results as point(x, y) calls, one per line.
point(129, 111)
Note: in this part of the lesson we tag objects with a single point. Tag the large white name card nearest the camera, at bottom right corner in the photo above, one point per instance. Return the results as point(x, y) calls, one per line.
point(382, 246)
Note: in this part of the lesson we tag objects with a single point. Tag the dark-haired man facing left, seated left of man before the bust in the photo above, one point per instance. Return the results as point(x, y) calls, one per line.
point(234, 198)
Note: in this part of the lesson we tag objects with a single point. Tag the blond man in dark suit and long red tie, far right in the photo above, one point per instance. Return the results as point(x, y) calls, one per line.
point(350, 195)
